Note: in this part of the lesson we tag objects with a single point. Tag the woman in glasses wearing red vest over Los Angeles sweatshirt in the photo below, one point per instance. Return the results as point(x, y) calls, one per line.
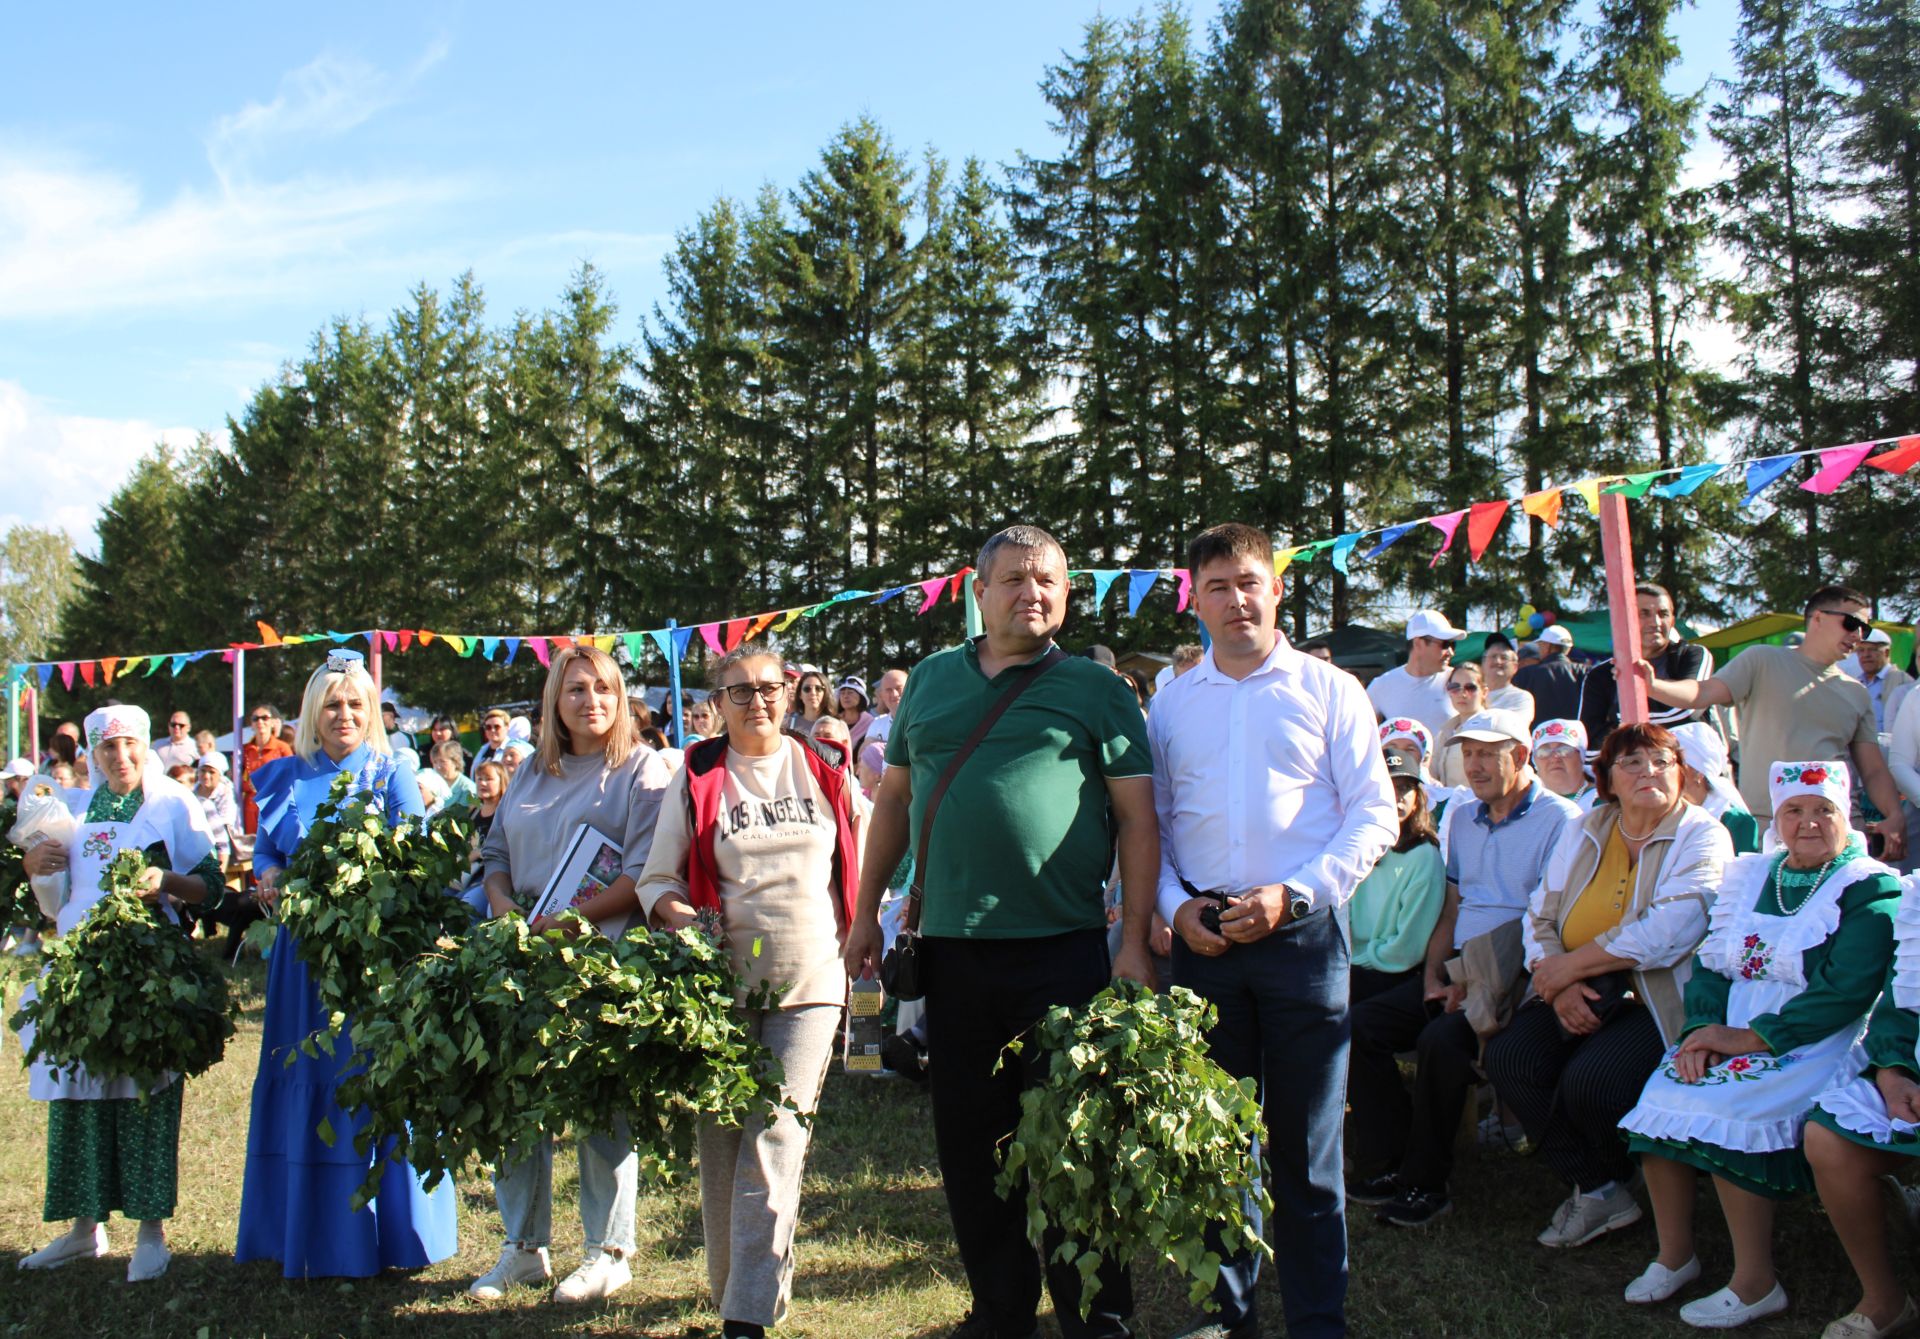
point(757, 837)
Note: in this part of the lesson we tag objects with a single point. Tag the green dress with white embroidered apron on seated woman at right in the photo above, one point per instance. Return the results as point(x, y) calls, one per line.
point(1798, 958)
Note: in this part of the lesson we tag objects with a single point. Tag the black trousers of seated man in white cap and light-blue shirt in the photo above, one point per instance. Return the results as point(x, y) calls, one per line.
point(1389, 1129)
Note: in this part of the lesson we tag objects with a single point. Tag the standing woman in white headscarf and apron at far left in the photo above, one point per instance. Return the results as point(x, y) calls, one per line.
point(107, 1150)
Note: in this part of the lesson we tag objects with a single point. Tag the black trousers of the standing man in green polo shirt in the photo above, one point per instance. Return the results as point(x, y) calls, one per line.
point(982, 994)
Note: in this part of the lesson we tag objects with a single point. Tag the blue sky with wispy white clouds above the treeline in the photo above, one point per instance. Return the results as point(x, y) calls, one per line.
point(189, 193)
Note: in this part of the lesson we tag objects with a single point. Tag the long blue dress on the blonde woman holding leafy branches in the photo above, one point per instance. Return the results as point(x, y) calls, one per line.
point(299, 1190)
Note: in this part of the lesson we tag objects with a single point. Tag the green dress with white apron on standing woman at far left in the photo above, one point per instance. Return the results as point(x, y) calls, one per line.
point(108, 1150)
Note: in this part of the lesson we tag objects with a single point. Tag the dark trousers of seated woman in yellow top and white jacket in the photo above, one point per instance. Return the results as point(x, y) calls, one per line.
point(1572, 1094)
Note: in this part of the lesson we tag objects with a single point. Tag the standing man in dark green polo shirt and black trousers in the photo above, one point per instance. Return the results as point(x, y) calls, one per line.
point(1013, 917)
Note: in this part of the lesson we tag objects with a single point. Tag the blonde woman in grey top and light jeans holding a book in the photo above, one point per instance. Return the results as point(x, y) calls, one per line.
point(590, 769)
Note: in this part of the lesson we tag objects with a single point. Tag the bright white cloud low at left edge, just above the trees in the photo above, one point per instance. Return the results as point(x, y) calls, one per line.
point(64, 466)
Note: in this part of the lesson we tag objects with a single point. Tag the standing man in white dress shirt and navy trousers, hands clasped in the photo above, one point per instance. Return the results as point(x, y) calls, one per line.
point(1274, 804)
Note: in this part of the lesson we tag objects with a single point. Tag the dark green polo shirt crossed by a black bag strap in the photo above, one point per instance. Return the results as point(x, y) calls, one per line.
point(1022, 846)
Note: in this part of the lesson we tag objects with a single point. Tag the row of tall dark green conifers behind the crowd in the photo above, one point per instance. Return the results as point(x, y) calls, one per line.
point(1322, 266)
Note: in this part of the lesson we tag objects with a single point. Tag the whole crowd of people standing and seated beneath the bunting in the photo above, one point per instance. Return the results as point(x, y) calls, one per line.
point(1666, 948)
